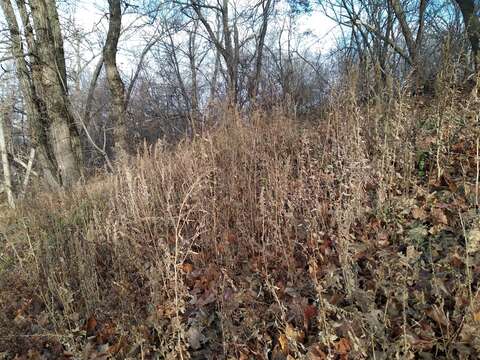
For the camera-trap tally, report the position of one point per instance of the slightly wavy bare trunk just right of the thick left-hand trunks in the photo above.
(115, 83)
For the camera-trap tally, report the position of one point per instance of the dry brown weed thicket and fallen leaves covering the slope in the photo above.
(351, 236)
